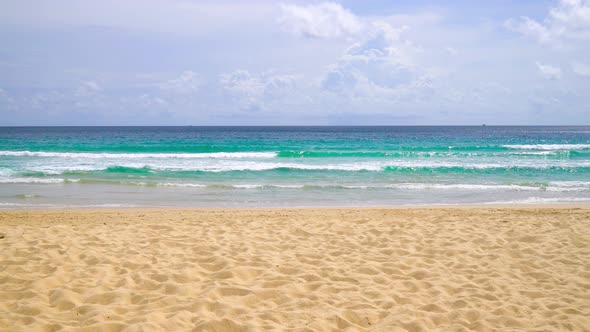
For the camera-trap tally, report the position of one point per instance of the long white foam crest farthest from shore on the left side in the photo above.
(88, 155)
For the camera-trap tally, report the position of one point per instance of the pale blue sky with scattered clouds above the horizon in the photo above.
(394, 62)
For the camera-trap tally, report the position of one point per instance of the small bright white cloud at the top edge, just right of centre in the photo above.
(323, 20)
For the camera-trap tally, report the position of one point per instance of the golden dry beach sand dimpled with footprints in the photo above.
(382, 269)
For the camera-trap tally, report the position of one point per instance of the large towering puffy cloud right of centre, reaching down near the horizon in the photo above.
(382, 75)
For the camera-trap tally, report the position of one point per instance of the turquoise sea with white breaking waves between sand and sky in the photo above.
(292, 166)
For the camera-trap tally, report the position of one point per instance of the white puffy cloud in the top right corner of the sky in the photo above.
(569, 20)
